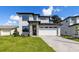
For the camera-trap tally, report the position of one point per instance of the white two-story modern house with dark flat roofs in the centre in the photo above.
(36, 25)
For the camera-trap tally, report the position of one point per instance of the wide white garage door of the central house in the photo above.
(48, 31)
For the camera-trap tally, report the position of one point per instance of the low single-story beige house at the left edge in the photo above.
(6, 30)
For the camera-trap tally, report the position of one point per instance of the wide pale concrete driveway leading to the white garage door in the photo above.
(61, 44)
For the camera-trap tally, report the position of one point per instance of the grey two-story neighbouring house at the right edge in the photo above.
(70, 26)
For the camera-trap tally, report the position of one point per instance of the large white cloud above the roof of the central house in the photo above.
(49, 11)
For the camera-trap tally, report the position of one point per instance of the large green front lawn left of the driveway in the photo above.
(23, 44)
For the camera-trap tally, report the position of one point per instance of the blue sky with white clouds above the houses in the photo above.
(8, 13)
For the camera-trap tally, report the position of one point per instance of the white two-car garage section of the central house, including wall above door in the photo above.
(49, 30)
